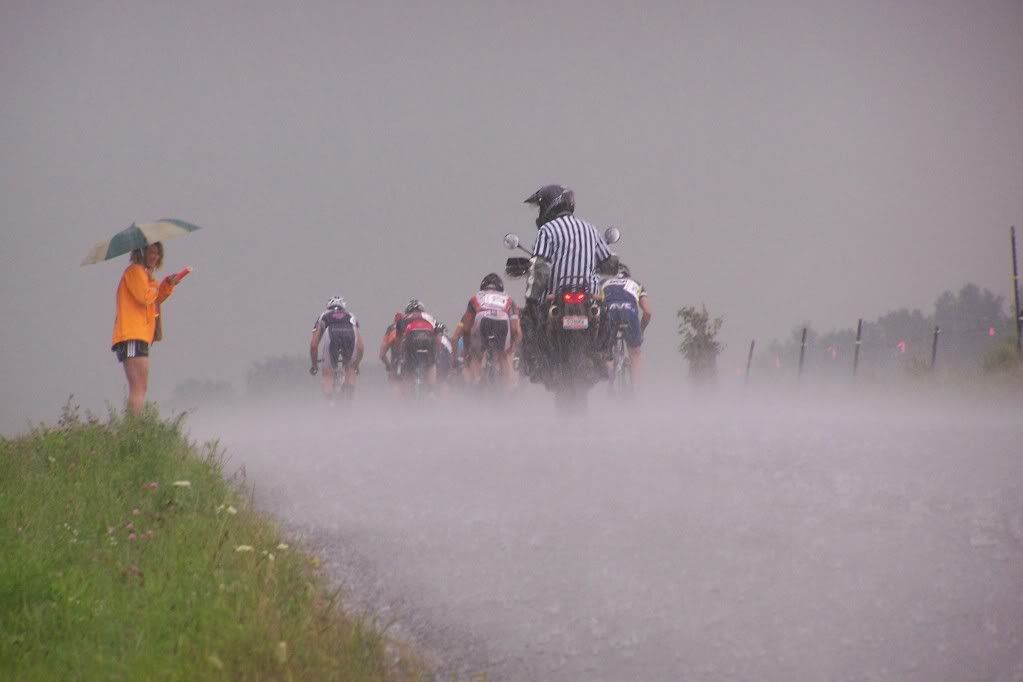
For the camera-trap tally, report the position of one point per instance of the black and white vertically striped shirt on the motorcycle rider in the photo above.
(573, 248)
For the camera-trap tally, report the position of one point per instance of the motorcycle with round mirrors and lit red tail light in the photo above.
(565, 328)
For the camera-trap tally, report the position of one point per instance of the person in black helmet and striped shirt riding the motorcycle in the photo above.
(575, 251)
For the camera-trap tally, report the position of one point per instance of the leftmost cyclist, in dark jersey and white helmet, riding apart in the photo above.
(344, 347)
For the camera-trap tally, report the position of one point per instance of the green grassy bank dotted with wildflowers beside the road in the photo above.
(105, 576)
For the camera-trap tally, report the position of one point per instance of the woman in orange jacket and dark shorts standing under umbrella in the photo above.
(139, 302)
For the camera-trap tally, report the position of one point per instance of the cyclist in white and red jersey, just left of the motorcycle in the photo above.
(491, 314)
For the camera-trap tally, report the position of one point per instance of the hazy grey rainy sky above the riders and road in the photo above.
(780, 162)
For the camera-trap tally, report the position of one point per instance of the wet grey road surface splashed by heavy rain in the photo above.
(762, 540)
